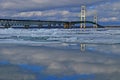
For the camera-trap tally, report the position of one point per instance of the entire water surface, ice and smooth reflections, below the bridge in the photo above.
(60, 54)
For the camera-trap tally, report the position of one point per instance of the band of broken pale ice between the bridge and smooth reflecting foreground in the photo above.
(103, 36)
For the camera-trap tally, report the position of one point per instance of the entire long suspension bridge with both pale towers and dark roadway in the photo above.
(8, 23)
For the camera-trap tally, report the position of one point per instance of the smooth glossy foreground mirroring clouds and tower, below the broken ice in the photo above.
(61, 61)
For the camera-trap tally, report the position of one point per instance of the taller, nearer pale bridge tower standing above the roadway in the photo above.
(83, 17)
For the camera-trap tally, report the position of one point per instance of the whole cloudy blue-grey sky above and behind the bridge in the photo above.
(61, 10)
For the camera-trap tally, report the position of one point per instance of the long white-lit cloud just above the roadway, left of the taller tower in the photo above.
(48, 15)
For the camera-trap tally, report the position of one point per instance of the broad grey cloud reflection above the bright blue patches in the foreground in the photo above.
(62, 61)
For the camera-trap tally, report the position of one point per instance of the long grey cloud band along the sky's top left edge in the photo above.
(42, 4)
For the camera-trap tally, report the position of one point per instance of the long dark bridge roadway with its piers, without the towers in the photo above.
(7, 23)
